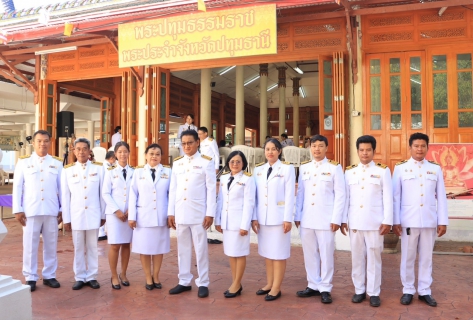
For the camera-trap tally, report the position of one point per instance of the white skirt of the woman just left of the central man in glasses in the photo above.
(151, 240)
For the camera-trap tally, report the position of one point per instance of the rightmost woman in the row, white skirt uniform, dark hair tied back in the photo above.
(273, 215)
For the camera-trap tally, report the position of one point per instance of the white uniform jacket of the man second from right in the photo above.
(369, 196)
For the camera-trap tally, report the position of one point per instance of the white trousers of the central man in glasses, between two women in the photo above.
(188, 234)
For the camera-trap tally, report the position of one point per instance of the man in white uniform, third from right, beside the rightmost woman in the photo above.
(320, 204)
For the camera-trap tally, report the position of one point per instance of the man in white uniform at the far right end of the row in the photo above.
(420, 214)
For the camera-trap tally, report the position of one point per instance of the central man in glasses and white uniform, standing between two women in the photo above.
(191, 211)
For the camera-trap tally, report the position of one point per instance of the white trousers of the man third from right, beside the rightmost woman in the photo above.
(318, 247)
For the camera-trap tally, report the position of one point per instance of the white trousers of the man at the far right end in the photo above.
(421, 241)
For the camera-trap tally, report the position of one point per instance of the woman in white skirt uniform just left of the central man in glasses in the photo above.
(148, 213)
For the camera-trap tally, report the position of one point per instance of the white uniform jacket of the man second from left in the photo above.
(82, 202)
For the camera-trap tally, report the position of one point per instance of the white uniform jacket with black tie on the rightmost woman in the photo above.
(280, 187)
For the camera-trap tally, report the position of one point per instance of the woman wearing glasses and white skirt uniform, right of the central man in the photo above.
(235, 205)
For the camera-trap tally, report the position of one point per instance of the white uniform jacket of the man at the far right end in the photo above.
(414, 184)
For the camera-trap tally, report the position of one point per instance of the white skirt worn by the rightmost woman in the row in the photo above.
(273, 243)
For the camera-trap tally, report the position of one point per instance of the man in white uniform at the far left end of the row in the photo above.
(37, 206)
